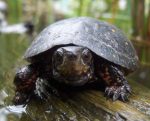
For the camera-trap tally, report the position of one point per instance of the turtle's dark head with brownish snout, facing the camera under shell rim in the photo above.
(73, 65)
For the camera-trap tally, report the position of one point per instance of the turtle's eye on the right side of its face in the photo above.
(86, 56)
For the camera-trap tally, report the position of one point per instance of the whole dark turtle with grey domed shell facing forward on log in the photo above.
(77, 51)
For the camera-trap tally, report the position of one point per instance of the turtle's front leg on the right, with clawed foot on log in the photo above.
(117, 85)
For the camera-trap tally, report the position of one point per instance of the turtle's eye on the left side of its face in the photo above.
(58, 57)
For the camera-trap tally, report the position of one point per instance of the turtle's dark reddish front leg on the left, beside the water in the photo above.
(24, 81)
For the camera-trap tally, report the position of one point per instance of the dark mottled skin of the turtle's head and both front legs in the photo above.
(72, 65)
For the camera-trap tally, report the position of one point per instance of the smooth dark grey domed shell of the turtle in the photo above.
(102, 38)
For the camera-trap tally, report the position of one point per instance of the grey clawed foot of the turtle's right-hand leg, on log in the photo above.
(118, 92)
